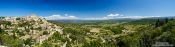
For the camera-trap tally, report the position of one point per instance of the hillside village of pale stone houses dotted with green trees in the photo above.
(29, 27)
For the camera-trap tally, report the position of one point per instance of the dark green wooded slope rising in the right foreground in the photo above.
(160, 31)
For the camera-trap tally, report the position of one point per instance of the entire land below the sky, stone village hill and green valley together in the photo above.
(33, 31)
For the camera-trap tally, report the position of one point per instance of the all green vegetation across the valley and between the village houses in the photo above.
(137, 33)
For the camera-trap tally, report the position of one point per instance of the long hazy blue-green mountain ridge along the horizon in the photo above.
(110, 20)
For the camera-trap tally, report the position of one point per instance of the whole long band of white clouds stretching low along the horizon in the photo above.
(110, 16)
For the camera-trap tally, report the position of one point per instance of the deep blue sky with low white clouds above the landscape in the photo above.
(88, 9)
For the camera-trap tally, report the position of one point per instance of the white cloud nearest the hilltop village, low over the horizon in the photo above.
(59, 17)
